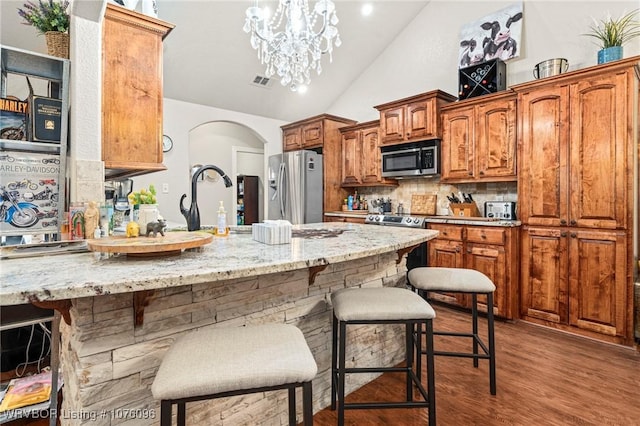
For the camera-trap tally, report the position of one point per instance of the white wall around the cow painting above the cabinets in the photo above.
(425, 56)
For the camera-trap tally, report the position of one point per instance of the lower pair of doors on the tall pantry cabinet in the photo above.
(583, 283)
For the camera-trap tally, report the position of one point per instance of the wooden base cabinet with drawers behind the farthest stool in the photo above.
(493, 251)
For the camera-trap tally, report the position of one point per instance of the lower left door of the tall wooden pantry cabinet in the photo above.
(544, 271)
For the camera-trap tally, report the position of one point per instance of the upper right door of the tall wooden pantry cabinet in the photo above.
(599, 151)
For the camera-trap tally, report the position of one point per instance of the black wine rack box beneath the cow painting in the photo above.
(482, 79)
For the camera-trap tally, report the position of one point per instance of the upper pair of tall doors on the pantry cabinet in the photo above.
(576, 149)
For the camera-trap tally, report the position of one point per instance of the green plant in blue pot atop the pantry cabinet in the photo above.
(613, 33)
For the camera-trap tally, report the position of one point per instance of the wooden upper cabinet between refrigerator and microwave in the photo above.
(361, 156)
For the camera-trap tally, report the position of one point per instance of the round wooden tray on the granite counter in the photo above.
(171, 243)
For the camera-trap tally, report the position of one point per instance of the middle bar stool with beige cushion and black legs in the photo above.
(383, 305)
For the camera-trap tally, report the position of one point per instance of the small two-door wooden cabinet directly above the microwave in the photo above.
(412, 119)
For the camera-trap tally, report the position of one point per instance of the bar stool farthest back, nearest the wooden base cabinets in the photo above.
(461, 280)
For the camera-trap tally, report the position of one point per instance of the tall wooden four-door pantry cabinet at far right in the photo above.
(578, 142)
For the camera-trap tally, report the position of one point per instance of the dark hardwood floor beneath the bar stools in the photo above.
(544, 377)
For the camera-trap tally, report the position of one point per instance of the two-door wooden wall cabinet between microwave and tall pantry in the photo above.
(479, 139)
